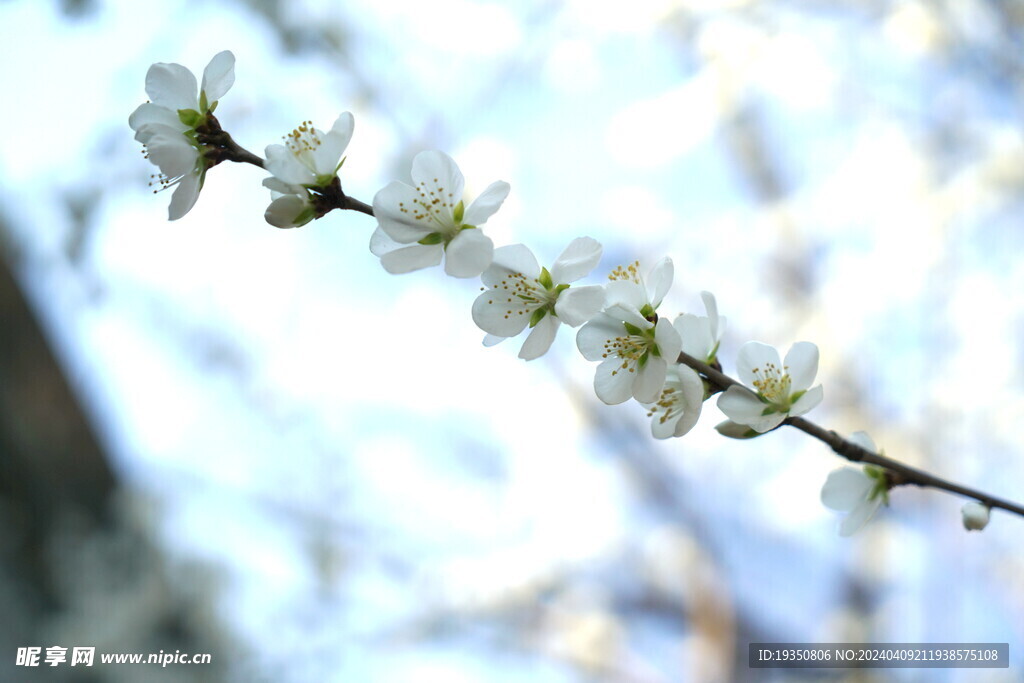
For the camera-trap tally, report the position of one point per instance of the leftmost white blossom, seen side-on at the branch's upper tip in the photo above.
(166, 125)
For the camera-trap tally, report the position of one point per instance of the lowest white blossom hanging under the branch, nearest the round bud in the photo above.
(857, 492)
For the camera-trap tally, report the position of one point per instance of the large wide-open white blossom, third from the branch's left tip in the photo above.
(421, 225)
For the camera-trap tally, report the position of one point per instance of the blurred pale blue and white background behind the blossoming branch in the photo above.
(223, 438)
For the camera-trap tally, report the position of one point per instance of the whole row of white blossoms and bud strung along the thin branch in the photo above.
(641, 354)
